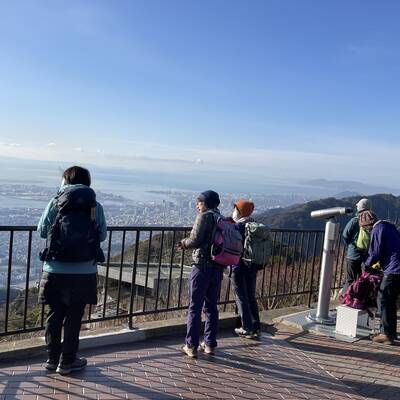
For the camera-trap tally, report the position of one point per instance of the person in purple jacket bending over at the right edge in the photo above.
(385, 248)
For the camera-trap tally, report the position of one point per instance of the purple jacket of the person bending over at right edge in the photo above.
(385, 248)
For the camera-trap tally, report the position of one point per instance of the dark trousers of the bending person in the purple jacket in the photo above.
(388, 293)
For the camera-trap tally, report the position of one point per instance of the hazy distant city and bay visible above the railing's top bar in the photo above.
(24, 204)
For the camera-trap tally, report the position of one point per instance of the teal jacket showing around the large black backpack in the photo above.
(58, 267)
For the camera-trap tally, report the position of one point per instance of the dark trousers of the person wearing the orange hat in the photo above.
(244, 285)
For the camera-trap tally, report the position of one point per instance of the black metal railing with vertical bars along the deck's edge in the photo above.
(144, 273)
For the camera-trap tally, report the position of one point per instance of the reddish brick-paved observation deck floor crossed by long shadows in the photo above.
(284, 364)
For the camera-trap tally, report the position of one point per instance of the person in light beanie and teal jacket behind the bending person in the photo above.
(354, 256)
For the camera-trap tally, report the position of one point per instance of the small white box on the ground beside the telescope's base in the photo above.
(347, 320)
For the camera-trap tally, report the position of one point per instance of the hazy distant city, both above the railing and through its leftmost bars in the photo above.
(23, 204)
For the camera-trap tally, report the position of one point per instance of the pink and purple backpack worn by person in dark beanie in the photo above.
(227, 243)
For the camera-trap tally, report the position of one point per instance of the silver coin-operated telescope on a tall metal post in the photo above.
(321, 316)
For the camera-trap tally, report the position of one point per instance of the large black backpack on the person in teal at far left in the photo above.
(74, 235)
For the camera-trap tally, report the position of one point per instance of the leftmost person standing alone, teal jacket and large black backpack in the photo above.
(73, 224)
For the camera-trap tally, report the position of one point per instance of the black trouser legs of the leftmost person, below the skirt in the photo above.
(70, 316)
